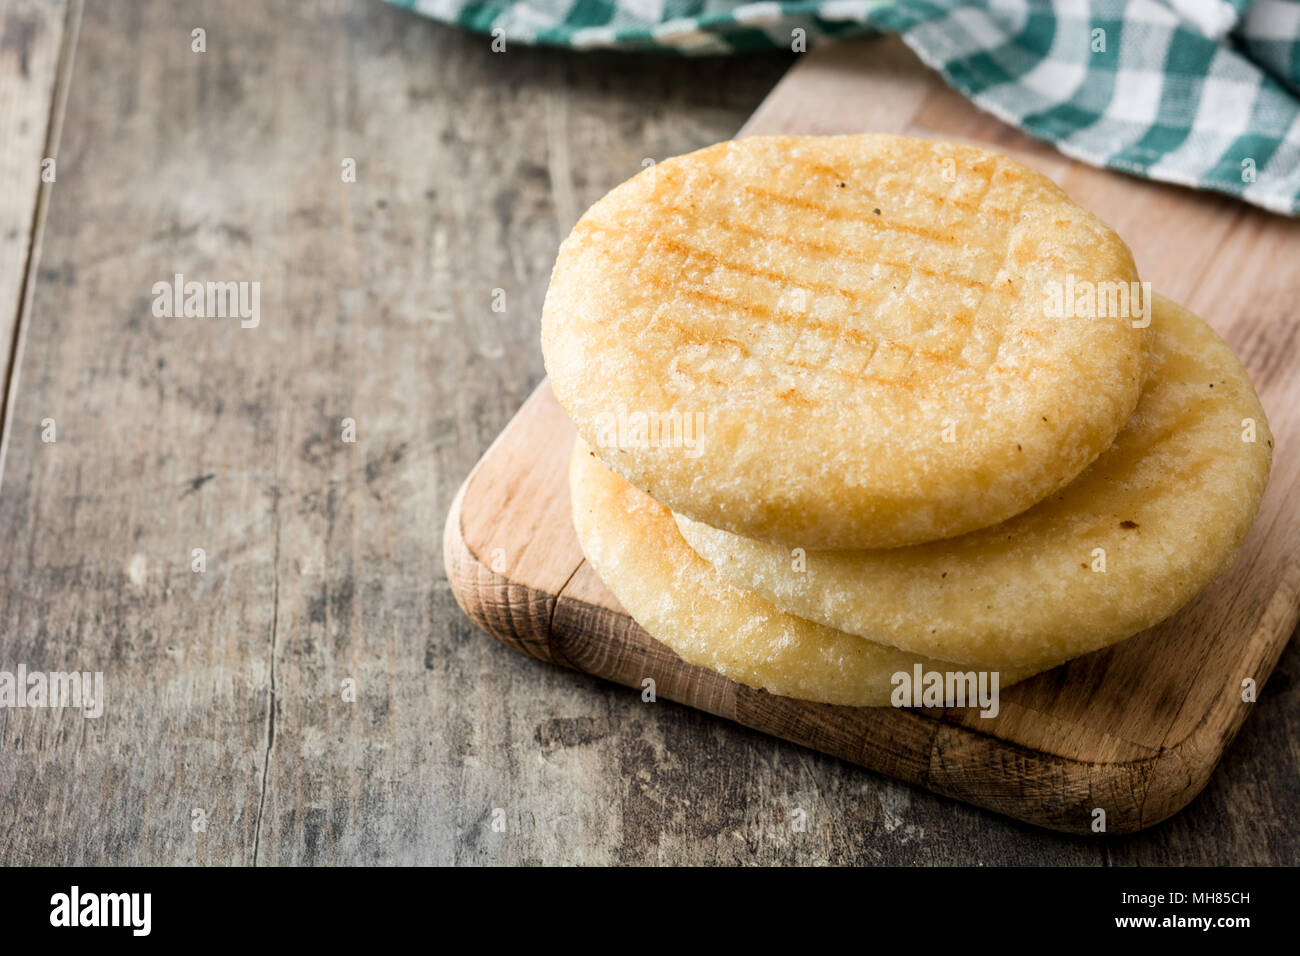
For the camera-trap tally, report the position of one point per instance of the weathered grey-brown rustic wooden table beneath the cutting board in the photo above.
(231, 733)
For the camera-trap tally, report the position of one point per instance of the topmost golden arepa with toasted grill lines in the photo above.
(844, 341)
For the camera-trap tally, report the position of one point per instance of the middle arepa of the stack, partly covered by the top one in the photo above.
(1130, 542)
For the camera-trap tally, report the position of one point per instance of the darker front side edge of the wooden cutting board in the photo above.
(1138, 793)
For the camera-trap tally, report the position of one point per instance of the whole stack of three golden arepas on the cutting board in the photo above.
(850, 405)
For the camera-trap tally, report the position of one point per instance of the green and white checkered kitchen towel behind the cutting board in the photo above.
(1201, 93)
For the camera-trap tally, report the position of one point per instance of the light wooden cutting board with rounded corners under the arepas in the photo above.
(1134, 730)
